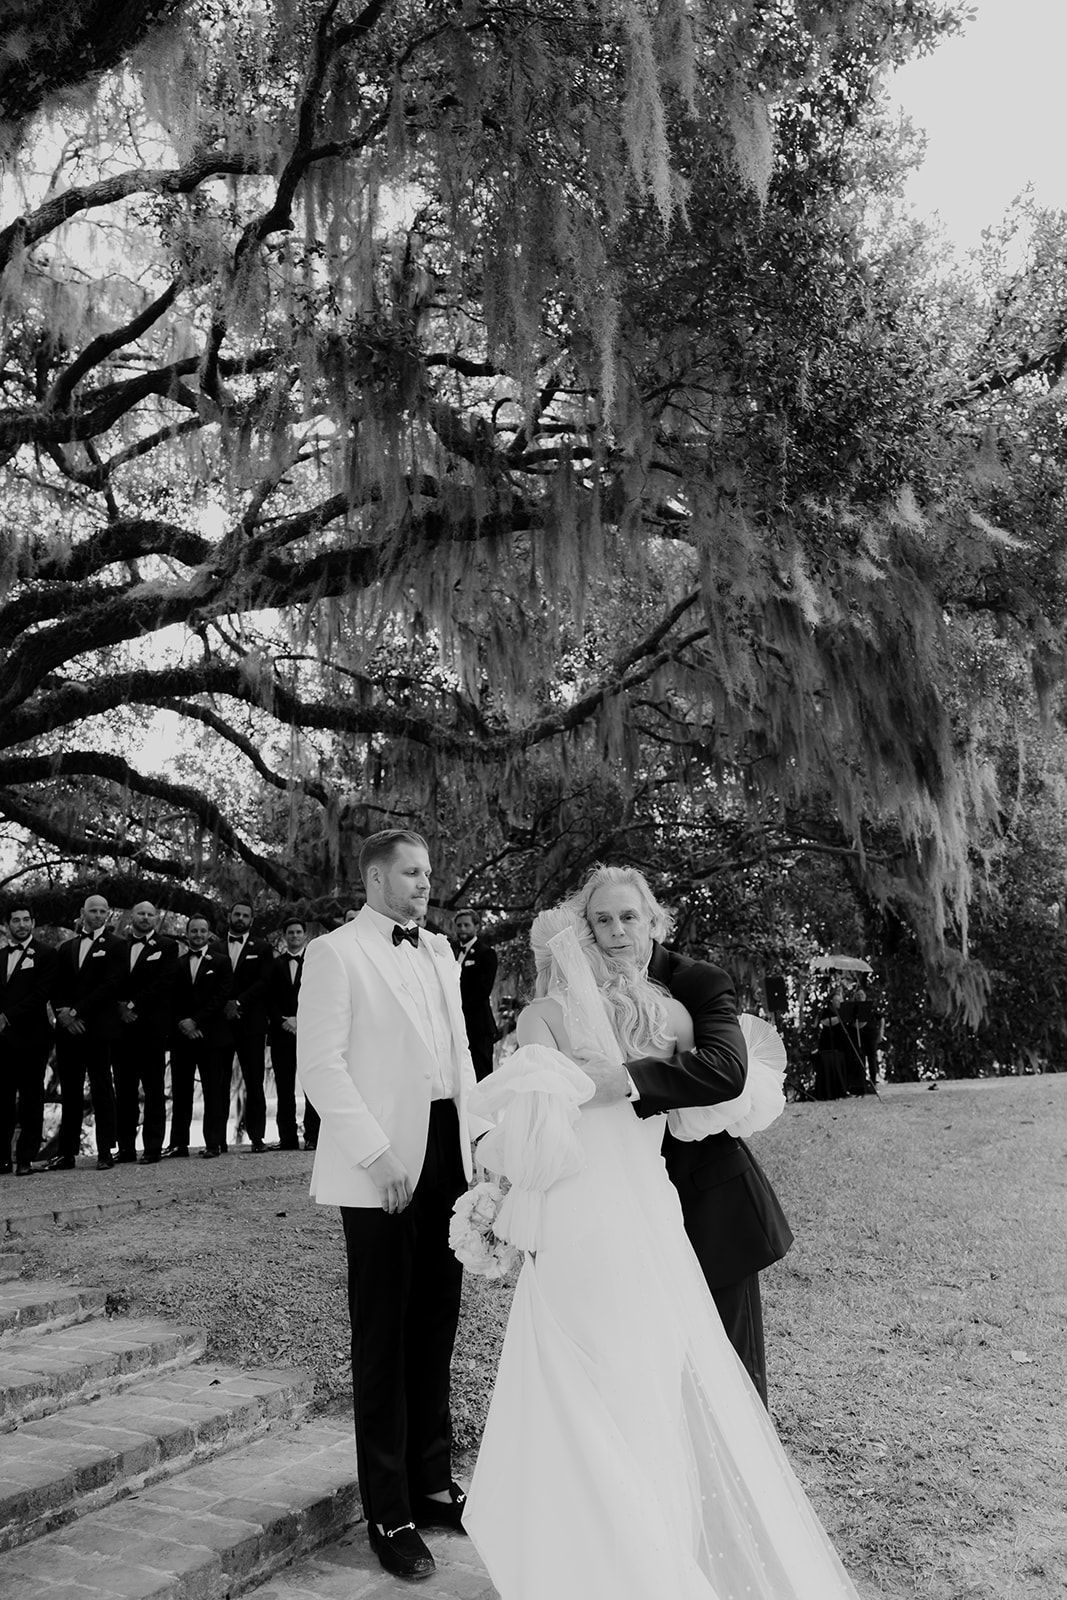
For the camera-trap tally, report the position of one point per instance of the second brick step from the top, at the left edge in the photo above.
(46, 1372)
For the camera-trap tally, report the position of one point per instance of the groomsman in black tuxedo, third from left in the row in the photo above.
(145, 1023)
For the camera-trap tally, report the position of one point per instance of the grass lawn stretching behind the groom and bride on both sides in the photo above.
(916, 1332)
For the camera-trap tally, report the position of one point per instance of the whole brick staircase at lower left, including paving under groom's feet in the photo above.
(135, 1470)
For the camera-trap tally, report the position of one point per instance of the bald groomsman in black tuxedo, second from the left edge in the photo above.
(86, 986)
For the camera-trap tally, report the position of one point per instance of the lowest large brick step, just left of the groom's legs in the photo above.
(217, 1530)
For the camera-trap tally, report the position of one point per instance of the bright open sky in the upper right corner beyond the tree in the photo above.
(993, 105)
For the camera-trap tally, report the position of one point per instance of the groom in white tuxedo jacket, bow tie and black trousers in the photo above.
(383, 1057)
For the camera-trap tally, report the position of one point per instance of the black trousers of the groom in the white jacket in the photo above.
(404, 1303)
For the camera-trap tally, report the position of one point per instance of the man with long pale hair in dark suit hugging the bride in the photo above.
(732, 1215)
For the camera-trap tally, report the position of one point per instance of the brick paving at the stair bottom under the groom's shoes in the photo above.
(348, 1567)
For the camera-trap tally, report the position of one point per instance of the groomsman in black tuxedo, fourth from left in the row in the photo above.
(201, 1042)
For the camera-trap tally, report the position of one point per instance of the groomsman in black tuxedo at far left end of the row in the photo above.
(26, 970)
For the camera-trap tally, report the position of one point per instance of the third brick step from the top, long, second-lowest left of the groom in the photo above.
(66, 1466)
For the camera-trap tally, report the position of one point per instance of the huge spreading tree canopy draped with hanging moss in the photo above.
(502, 418)
